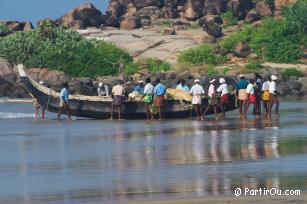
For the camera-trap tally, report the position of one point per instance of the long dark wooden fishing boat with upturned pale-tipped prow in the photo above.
(99, 107)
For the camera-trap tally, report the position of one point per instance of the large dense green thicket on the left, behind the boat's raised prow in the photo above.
(65, 50)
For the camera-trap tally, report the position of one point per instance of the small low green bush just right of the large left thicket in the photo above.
(154, 65)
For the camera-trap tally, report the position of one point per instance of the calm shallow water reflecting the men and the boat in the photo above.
(86, 161)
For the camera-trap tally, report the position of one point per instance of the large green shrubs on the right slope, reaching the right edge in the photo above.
(275, 40)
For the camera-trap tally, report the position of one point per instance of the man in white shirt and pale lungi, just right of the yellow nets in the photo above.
(197, 91)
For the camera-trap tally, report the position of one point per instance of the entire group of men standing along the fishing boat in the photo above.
(253, 91)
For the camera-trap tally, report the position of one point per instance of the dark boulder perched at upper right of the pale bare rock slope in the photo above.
(212, 25)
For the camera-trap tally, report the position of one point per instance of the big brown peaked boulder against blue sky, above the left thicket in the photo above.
(85, 15)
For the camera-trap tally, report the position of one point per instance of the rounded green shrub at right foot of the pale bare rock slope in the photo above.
(203, 54)
